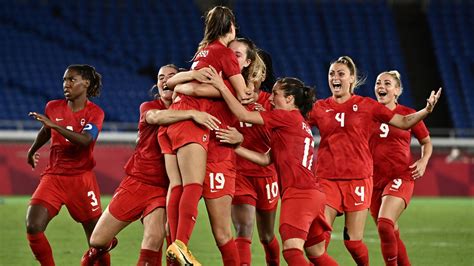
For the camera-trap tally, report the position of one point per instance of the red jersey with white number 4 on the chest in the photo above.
(345, 130)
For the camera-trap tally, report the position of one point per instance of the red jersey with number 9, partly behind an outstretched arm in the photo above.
(390, 148)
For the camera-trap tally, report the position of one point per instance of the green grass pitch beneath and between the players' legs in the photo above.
(437, 231)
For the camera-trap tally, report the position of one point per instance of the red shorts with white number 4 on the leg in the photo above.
(347, 195)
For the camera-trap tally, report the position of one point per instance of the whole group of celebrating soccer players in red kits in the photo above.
(211, 132)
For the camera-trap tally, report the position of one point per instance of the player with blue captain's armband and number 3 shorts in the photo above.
(73, 125)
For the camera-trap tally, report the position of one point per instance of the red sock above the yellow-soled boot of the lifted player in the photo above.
(188, 211)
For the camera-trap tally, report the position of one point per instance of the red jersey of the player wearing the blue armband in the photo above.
(67, 158)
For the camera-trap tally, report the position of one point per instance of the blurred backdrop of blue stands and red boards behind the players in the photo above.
(429, 42)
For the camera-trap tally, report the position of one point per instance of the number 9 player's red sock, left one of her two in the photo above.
(388, 241)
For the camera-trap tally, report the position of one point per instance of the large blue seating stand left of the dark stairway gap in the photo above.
(128, 39)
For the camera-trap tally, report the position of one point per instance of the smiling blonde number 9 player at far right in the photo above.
(394, 174)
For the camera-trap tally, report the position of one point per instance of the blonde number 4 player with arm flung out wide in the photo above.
(344, 165)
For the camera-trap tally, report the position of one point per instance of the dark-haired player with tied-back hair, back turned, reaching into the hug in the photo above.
(302, 222)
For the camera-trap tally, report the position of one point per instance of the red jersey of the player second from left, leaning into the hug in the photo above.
(147, 163)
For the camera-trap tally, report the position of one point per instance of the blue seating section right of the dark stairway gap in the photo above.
(450, 23)
